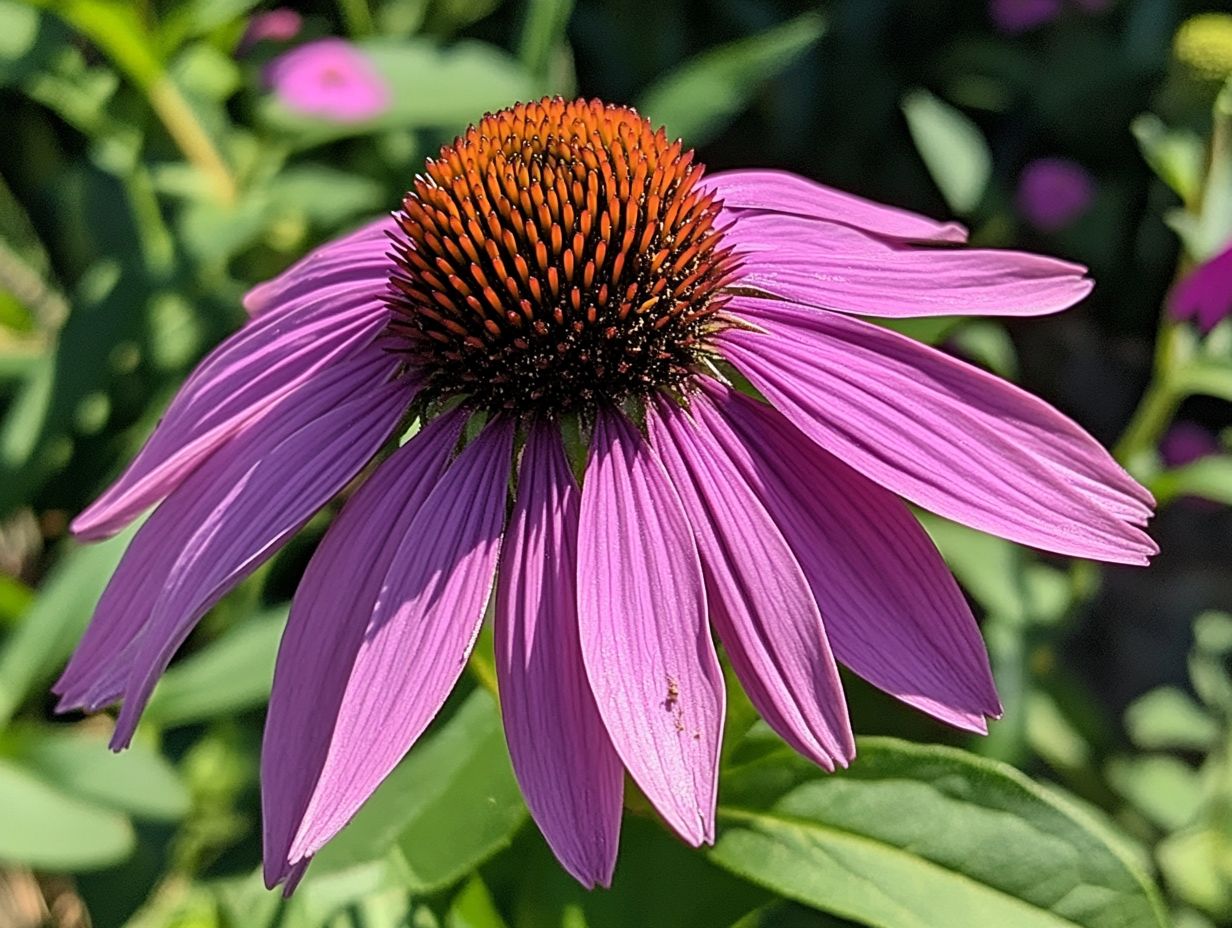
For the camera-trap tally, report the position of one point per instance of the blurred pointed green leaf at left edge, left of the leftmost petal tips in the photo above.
(49, 632)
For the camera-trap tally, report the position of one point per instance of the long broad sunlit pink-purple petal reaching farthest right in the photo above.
(942, 433)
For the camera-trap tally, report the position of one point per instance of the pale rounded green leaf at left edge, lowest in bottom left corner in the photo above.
(47, 829)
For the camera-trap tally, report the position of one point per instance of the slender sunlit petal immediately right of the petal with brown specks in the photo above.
(760, 601)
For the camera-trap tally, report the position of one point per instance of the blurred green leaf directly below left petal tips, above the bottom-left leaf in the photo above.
(137, 781)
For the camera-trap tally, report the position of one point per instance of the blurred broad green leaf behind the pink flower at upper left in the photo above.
(429, 87)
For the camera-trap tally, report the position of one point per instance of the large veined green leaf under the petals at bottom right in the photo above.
(928, 837)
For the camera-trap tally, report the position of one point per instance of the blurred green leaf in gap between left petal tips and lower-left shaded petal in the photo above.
(227, 677)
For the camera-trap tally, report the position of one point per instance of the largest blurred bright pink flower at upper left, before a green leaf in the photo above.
(330, 79)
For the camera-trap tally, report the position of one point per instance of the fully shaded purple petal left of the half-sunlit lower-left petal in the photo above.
(331, 614)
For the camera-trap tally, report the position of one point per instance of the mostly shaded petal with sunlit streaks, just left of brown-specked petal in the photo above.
(569, 771)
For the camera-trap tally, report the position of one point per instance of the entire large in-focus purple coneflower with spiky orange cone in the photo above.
(565, 268)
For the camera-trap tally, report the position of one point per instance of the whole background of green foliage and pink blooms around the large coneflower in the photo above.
(167, 155)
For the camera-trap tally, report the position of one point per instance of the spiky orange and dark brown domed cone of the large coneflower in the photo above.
(555, 258)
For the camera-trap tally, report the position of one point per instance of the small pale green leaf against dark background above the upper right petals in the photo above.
(953, 149)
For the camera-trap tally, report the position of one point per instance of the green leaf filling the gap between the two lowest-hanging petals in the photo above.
(449, 807)
